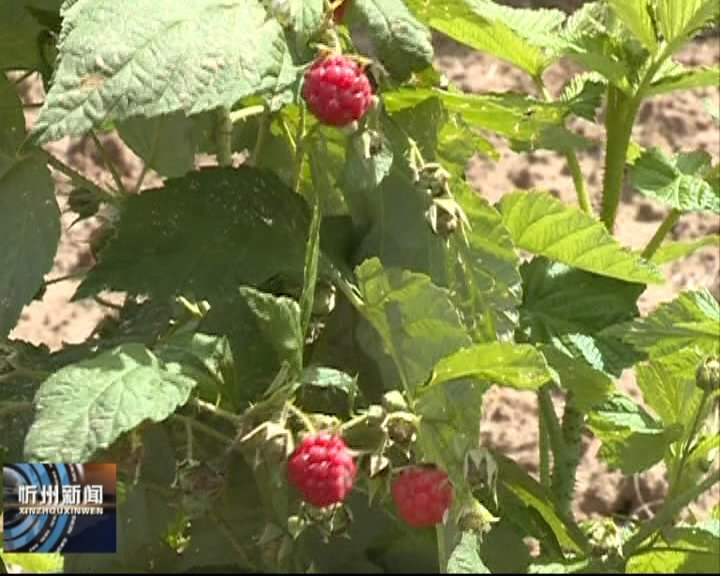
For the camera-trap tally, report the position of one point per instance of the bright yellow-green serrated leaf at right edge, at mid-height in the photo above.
(691, 320)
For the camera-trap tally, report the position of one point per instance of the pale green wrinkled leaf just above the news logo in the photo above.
(86, 406)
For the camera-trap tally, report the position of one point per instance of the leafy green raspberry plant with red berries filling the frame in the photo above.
(309, 326)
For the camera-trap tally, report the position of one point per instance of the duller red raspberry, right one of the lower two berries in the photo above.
(422, 495)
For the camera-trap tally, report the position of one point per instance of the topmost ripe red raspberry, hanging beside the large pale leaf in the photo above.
(337, 90)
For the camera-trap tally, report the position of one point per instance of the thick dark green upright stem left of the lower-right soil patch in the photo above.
(565, 469)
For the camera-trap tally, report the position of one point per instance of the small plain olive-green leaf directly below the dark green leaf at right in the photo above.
(589, 387)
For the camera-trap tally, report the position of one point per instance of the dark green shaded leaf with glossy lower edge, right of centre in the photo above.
(569, 308)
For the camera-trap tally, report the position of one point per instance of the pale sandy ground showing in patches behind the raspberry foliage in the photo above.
(510, 421)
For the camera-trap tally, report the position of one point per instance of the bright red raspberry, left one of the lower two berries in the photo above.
(322, 469)
